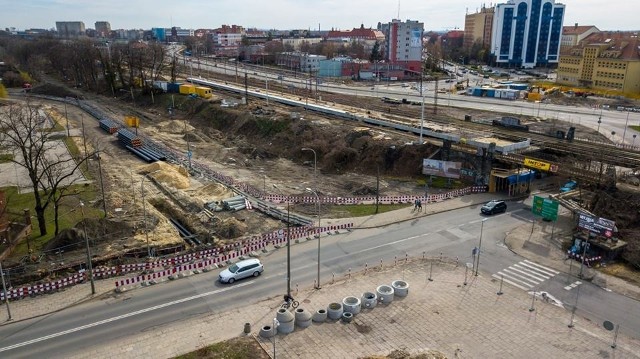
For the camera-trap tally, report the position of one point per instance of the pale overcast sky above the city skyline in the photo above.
(288, 14)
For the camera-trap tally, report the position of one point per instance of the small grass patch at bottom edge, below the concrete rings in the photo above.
(237, 348)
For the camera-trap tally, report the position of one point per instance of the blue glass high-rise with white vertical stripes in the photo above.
(527, 33)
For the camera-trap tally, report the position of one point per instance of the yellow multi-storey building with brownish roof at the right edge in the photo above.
(605, 61)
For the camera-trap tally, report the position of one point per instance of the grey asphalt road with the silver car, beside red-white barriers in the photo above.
(452, 234)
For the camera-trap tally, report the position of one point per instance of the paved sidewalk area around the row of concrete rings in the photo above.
(443, 315)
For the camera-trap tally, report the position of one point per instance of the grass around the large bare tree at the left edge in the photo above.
(69, 215)
